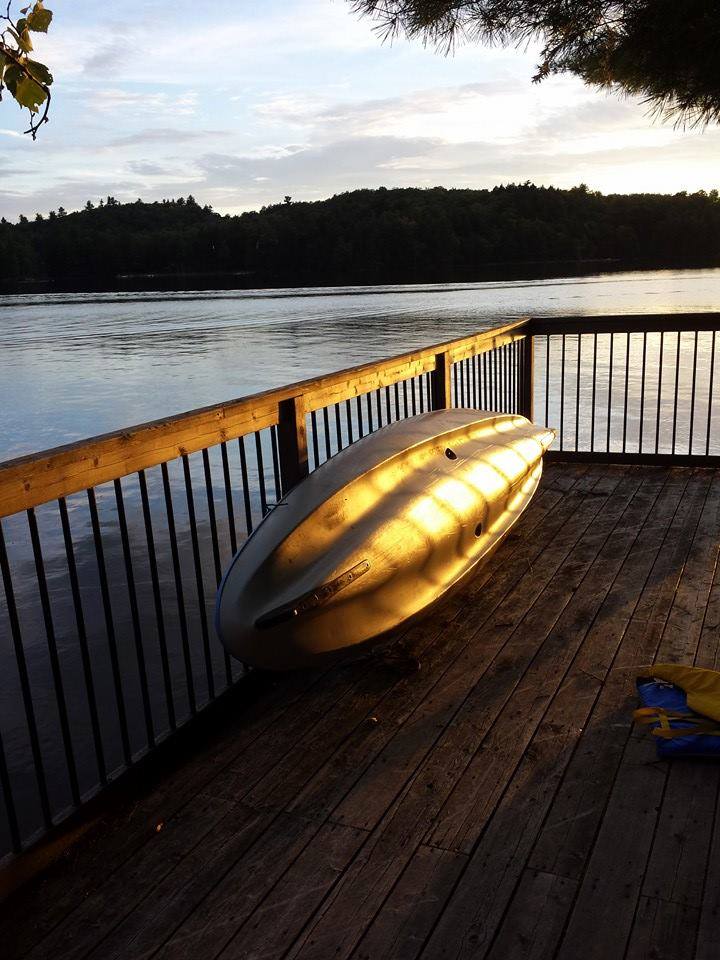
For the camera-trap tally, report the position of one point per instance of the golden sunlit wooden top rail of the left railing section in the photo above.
(38, 478)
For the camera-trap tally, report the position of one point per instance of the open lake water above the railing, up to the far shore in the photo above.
(75, 365)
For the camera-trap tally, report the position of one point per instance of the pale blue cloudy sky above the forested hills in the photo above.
(242, 103)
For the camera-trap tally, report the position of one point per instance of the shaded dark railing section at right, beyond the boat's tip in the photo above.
(624, 388)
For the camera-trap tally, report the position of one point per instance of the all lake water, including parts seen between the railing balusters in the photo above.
(76, 365)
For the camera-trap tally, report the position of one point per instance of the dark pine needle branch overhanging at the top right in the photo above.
(665, 51)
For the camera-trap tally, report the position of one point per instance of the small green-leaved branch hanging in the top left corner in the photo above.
(27, 80)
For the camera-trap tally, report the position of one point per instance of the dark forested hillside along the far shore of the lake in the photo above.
(365, 235)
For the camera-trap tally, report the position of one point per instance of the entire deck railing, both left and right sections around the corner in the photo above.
(111, 549)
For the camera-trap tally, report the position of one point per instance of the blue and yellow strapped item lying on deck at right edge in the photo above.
(682, 704)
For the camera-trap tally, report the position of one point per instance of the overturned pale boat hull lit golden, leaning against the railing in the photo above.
(378, 534)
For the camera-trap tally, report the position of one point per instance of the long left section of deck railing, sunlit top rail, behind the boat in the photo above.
(111, 551)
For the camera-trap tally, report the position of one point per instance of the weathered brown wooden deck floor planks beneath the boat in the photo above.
(494, 803)
